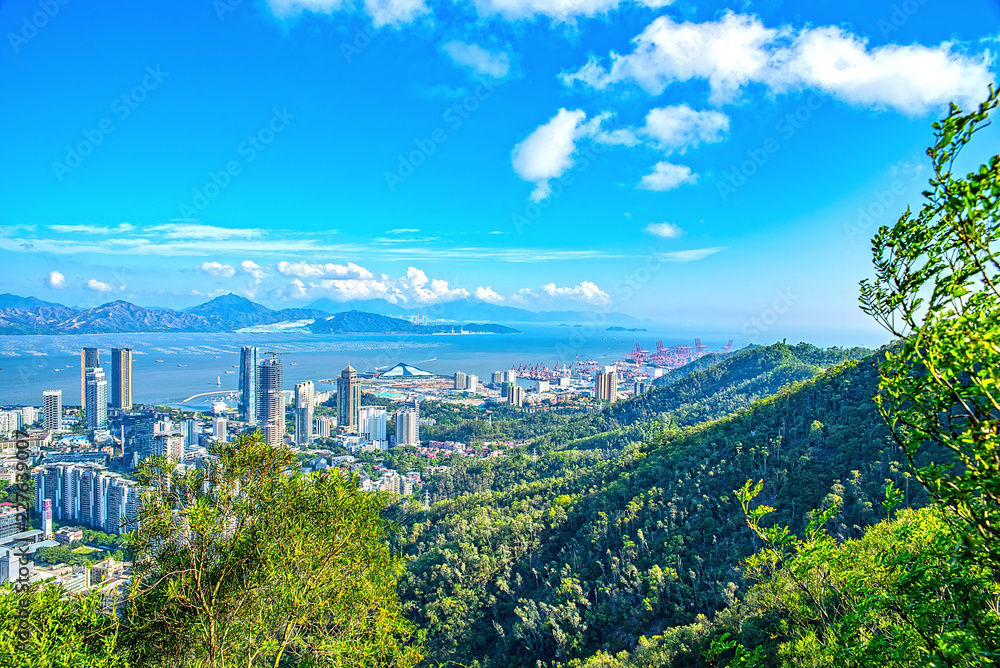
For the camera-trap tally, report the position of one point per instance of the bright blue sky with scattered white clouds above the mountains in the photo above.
(693, 163)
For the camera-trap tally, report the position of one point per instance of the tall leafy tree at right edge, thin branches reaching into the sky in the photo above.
(936, 289)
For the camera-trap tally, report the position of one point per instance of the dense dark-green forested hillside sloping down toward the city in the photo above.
(635, 531)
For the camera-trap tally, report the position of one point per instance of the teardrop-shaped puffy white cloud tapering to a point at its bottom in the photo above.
(548, 151)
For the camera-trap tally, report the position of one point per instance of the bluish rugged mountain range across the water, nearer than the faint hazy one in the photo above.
(28, 315)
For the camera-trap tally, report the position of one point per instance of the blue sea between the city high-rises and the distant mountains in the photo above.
(171, 368)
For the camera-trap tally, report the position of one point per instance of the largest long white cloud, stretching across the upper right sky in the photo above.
(738, 50)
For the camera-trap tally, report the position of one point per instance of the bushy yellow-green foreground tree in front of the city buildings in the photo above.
(247, 562)
